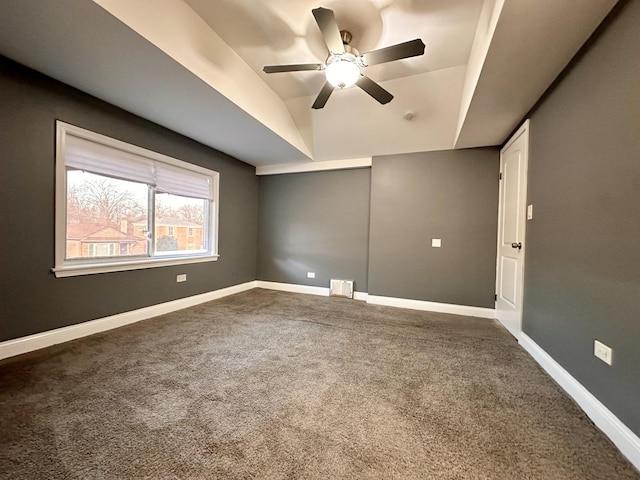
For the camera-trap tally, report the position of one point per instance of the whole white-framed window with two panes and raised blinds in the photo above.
(121, 207)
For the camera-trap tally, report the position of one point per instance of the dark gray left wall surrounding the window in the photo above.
(31, 298)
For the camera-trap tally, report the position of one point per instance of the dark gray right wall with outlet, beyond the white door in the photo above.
(582, 273)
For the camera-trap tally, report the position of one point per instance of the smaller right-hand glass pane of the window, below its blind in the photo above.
(180, 224)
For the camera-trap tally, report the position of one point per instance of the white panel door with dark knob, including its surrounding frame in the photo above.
(512, 212)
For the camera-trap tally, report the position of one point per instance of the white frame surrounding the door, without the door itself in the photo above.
(522, 130)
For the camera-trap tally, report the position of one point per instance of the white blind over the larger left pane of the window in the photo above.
(83, 154)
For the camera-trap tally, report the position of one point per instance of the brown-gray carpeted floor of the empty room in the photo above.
(273, 385)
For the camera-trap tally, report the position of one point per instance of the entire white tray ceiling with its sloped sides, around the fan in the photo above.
(195, 66)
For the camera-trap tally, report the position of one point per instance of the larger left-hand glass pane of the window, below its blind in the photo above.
(106, 217)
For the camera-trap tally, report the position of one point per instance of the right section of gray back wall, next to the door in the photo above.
(451, 195)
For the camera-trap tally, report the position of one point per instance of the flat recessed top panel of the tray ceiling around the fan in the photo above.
(280, 34)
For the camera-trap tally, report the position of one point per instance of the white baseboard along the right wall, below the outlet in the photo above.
(622, 437)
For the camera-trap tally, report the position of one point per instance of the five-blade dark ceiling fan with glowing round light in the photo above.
(343, 64)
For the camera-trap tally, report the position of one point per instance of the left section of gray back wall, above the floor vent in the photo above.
(314, 222)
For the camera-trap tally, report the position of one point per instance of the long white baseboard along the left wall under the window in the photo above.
(37, 341)
